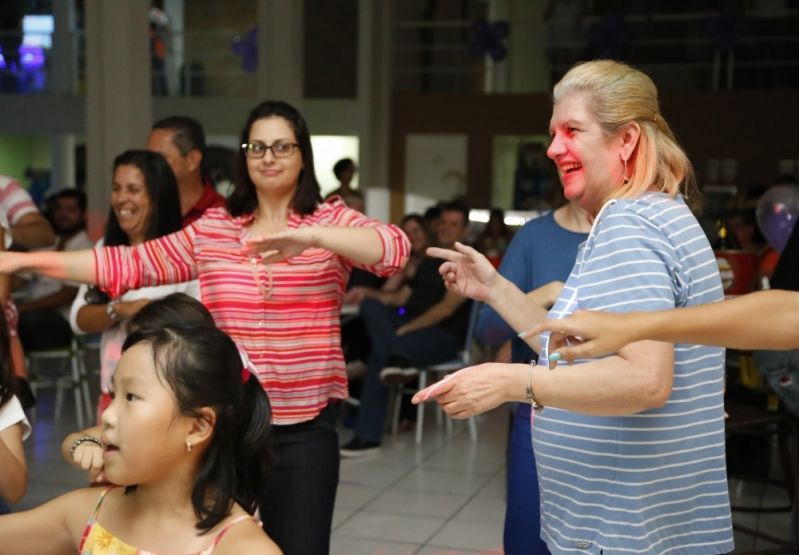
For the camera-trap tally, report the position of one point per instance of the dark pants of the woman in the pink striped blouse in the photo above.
(298, 510)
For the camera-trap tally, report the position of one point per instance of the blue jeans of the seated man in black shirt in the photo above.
(425, 347)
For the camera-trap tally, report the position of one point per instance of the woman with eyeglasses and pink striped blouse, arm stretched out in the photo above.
(272, 271)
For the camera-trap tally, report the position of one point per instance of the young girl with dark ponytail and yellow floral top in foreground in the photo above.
(186, 434)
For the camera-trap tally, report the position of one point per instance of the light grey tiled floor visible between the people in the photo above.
(443, 497)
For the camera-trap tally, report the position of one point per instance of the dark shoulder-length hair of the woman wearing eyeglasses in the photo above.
(243, 199)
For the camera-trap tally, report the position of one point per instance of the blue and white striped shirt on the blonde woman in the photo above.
(655, 481)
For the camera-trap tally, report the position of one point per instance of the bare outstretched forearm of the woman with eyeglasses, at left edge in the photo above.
(78, 266)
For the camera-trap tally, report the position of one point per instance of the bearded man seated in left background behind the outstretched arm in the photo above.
(47, 301)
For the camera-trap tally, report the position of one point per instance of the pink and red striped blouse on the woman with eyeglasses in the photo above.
(288, 321)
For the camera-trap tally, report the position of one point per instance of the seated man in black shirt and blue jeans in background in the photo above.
(419, 324)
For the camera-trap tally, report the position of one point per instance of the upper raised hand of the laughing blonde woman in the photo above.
(466, 271)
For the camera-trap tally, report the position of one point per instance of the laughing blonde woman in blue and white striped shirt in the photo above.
(630, 447)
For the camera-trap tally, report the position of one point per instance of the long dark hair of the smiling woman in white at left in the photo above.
(162, 188)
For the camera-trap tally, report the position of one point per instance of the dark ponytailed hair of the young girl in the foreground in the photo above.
(202, 367)
